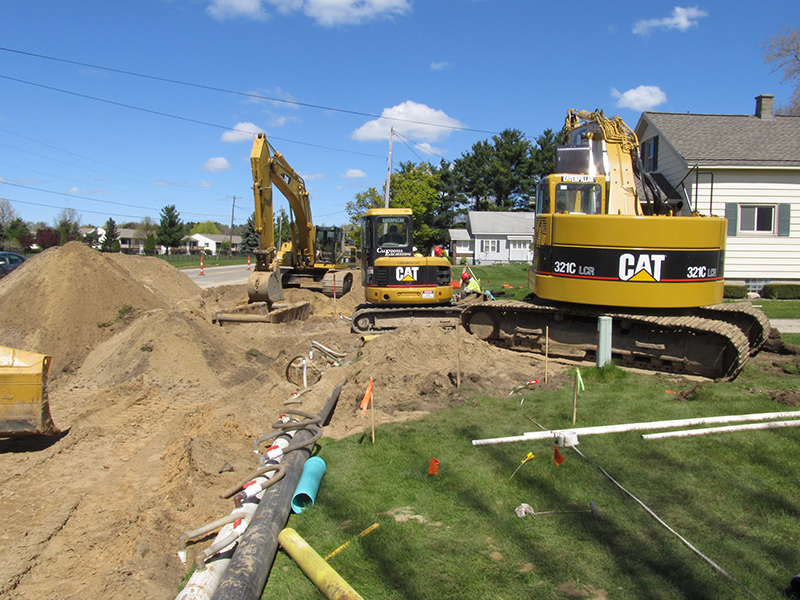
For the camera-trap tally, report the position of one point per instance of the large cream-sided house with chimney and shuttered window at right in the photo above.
(743, 167)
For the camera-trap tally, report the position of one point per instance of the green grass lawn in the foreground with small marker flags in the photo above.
(455, 535)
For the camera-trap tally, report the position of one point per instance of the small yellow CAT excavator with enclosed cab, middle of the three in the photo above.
(400, 286)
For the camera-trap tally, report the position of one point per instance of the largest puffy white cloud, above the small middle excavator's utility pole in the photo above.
(417, 121)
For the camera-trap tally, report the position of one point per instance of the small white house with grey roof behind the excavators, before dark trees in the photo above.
(494, 237)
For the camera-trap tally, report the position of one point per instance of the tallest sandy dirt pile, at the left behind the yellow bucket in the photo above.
(66, 301)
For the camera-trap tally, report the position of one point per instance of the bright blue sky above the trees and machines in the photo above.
(79, 130)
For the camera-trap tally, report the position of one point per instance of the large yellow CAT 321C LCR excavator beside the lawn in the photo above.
(608, 241)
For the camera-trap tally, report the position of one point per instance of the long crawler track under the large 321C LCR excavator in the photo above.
(694, 342)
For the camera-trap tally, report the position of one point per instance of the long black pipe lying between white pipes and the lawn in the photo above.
(247, 573)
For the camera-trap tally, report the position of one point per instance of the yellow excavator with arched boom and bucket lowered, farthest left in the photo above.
(316, 258)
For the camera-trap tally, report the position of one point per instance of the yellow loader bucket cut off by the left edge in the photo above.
(23, 393)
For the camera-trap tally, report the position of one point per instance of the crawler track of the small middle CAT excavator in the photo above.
(373, 318)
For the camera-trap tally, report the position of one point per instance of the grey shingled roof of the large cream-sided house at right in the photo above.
(729, 140)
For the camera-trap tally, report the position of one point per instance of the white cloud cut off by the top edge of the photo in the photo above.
(343, 12)
